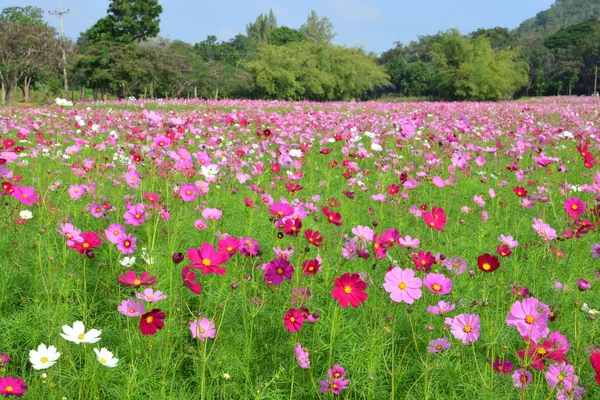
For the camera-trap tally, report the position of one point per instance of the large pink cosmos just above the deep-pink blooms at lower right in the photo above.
(530, 317)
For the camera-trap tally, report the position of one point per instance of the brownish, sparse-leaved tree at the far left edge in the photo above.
(24, 49)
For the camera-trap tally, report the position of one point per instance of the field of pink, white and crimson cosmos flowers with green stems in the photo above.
(269, 250)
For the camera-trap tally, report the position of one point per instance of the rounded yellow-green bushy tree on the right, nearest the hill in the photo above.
(472, 70)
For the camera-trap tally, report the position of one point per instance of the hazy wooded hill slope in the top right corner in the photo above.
(561, 14)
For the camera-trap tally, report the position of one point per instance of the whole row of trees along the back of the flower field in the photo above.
(122, 55)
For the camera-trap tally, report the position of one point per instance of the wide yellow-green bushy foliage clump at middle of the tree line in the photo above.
(316, 72)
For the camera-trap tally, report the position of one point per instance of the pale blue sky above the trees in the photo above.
(372, 24)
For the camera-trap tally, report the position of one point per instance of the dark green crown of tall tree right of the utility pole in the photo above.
(127, 21)
